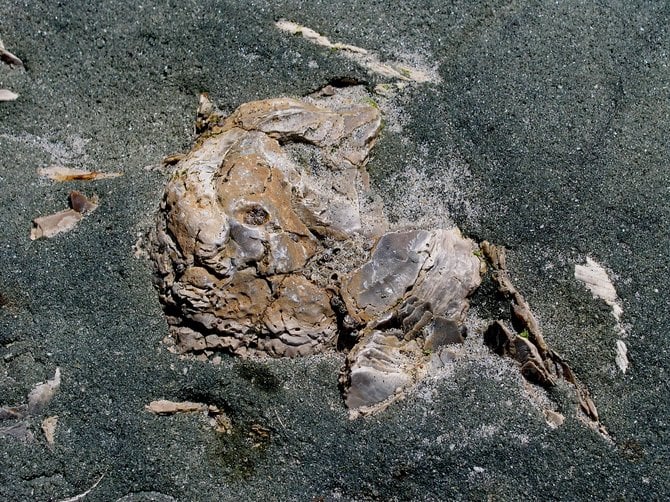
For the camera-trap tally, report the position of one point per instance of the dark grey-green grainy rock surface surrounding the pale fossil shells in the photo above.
(556, 116)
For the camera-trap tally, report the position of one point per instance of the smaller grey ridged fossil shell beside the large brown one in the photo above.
(412, 297)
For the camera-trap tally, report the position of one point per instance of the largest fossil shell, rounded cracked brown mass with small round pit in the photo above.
(251, 216)
